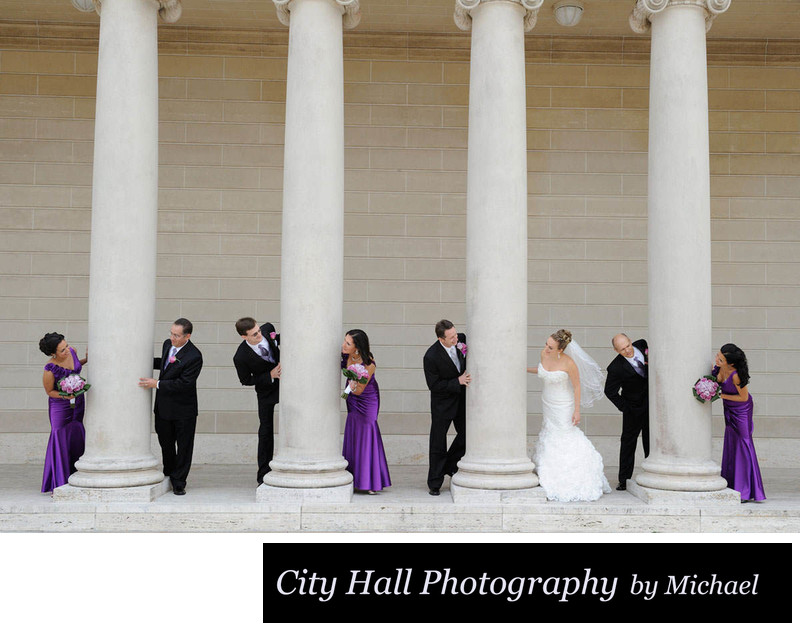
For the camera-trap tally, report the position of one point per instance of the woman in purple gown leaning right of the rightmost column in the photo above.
(739, 461)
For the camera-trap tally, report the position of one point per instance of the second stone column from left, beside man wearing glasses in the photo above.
(309, 464)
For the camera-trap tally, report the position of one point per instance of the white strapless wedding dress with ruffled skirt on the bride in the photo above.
(569, 467)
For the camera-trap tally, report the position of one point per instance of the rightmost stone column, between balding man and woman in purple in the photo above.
(679, 248)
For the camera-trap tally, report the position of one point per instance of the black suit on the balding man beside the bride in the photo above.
(627, 390)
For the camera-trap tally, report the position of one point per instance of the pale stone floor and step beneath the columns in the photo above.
(222, 498)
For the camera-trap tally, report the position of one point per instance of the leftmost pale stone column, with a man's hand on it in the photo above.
(118, 462)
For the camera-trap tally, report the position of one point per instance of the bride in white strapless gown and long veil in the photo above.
(570, 468)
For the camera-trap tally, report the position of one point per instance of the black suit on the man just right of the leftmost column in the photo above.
(176, 409)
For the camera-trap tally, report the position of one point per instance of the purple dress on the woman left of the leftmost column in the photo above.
(67, 436)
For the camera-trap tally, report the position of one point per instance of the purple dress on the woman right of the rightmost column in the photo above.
(739, 461)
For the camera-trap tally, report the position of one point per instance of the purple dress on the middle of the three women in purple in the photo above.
(363, 447)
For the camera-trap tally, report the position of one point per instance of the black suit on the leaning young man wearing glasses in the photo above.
(254, 370)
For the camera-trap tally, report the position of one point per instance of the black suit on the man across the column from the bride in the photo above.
(448, 403)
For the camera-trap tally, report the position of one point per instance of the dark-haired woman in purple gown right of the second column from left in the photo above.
(363, 447)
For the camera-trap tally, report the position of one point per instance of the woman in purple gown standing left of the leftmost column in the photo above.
(67, 436)
